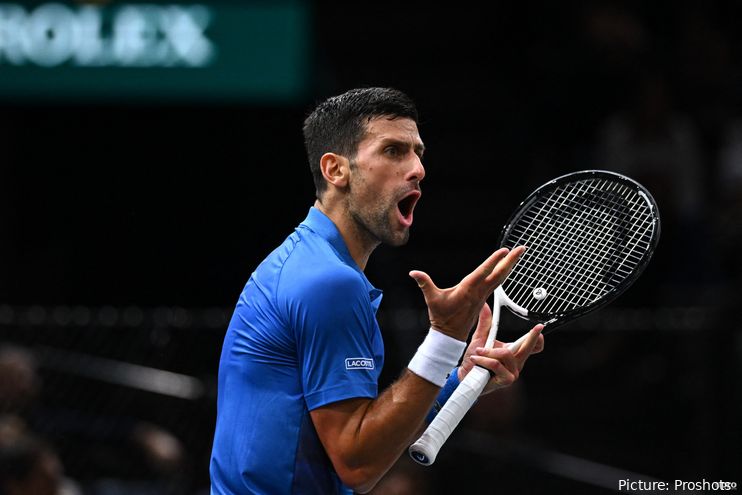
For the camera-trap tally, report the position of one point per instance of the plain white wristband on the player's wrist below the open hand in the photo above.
(436, 356)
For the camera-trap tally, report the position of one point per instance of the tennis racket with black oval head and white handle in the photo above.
(588, 235)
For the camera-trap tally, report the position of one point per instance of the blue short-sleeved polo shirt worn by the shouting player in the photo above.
(304, 334)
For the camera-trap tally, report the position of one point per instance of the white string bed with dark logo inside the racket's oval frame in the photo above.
(583, 240)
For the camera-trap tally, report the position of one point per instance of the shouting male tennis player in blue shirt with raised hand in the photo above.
(298, 410)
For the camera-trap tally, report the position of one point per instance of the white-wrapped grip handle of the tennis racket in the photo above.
(425, 450)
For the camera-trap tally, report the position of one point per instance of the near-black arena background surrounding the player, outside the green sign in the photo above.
(160, 212)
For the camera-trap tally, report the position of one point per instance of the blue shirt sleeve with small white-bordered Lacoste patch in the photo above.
(335, 327)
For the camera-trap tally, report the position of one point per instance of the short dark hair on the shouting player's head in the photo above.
(338, 124)
